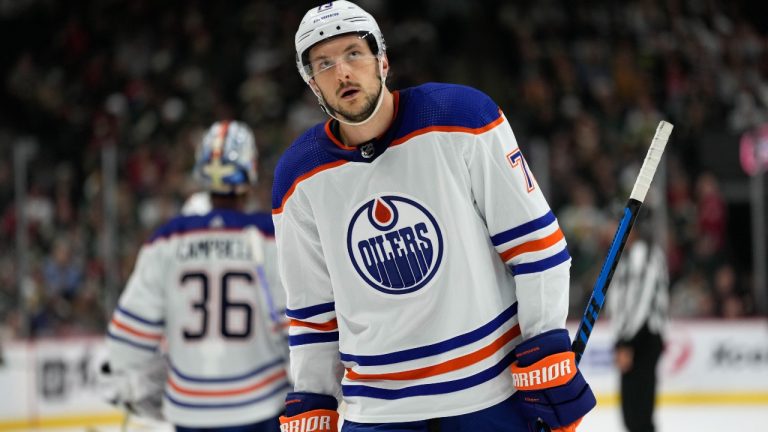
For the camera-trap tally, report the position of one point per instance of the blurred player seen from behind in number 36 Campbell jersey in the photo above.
(205, 287)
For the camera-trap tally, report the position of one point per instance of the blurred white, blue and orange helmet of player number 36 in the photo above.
(227, 157)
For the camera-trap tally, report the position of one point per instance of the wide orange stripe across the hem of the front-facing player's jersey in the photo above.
(445, 367)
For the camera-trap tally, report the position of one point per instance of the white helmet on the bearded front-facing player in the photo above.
(330, 20)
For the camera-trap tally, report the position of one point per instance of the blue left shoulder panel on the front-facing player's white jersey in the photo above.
(305, 154)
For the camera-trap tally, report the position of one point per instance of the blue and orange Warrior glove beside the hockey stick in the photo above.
(549, 385)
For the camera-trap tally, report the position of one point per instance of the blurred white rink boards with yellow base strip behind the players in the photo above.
(53, 383)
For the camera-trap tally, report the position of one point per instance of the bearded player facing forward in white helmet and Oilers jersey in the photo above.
(420, 258)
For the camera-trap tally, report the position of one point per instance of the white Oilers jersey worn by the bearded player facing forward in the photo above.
(411, 275)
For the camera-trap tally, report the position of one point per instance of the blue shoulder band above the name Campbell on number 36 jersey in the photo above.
(225, 219)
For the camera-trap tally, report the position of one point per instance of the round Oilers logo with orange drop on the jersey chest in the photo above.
(395, 244)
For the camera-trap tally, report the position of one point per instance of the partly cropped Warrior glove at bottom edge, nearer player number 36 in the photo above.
(305, 412)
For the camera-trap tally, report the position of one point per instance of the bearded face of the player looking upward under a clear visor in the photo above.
(346, 73)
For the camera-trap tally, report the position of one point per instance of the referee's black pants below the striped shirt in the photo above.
(638, 384)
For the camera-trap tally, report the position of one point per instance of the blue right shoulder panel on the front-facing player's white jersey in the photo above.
(436, 105)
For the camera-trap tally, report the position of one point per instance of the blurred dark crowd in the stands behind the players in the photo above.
(584, 87)
